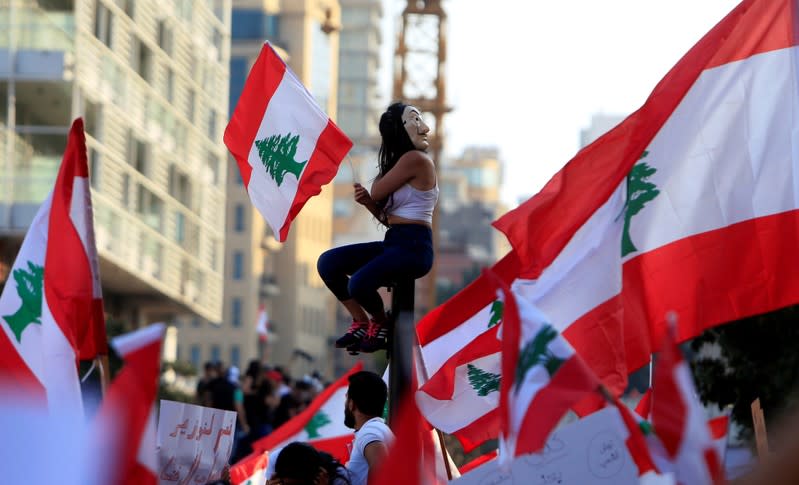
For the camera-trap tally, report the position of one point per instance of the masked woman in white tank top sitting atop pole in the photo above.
(402, 198)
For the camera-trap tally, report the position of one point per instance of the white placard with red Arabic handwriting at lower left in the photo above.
(194, 443)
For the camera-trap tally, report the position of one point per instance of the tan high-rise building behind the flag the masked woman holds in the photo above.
(258, 269)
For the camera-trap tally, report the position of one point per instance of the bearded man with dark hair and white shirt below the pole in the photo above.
(363, 411)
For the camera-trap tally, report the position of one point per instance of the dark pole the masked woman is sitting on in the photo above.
(401, 346)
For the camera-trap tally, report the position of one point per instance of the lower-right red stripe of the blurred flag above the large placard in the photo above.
(569, 385)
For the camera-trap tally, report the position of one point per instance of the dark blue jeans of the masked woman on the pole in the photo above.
(358, 270)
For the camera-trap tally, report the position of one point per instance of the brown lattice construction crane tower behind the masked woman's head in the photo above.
(420, 80)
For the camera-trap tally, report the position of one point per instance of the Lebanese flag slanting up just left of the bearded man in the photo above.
(322, 419)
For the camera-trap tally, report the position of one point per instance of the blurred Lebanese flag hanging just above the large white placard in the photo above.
(543, 378)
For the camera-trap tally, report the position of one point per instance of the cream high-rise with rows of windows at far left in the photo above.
(146, 75)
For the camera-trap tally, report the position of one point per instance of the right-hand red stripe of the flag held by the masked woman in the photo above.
(331, 147)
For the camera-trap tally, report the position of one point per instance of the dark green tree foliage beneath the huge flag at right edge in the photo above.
(758, 360)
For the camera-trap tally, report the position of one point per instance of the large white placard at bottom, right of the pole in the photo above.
(588, 451)
